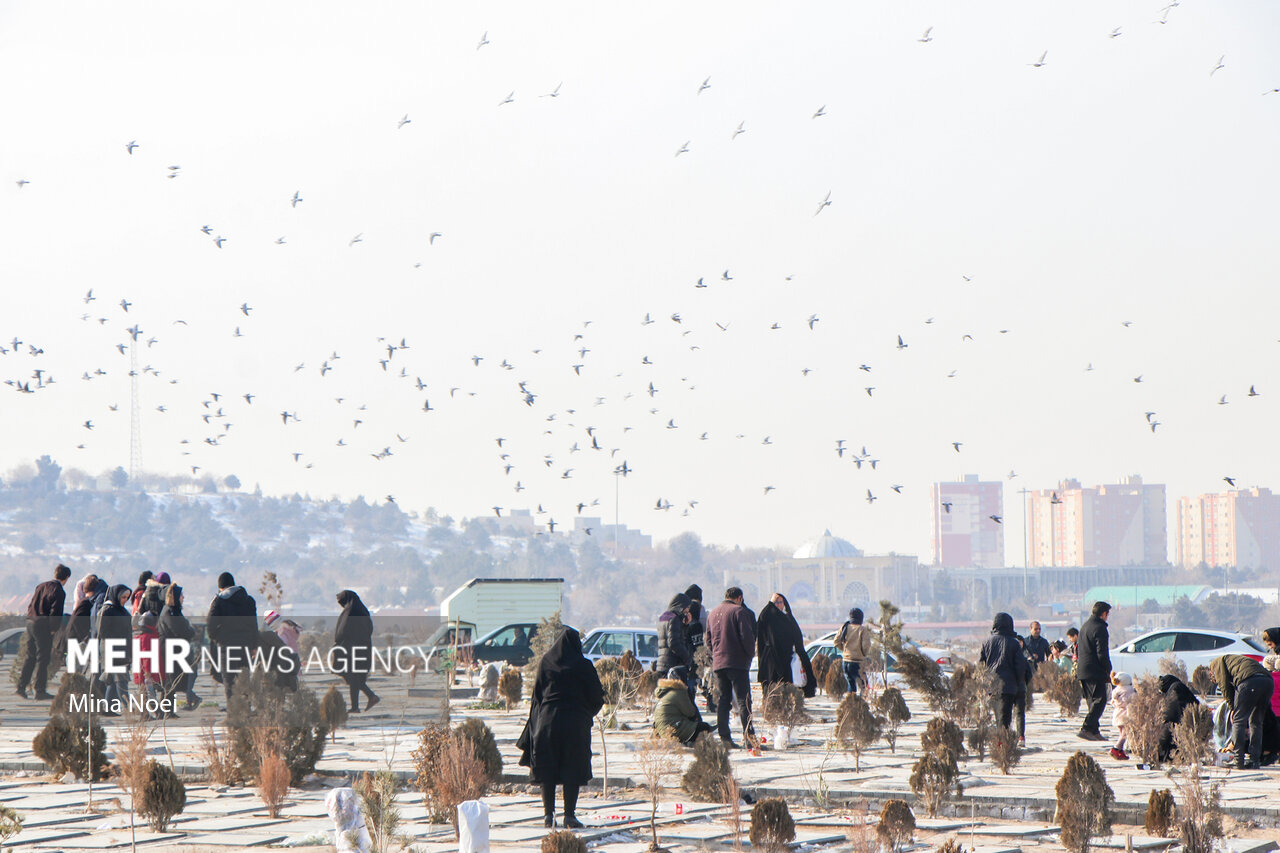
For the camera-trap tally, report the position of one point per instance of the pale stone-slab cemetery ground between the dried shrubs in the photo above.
(829, 800)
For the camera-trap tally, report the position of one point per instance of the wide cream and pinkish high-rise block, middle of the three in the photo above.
(1122, 524)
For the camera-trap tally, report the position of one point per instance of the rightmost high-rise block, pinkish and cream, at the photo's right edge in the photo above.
(1235, 528)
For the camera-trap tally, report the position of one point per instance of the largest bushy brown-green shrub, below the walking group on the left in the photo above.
(259, 704)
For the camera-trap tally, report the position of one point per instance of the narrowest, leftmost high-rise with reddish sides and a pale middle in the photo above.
(964, 533)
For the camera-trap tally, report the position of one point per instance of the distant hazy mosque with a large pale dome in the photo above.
(829, 576)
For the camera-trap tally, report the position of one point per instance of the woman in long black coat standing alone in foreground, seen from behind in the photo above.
(556, 745)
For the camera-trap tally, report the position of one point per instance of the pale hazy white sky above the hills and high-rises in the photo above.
(1016, 222)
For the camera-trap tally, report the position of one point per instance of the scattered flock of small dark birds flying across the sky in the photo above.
(211, 416)
